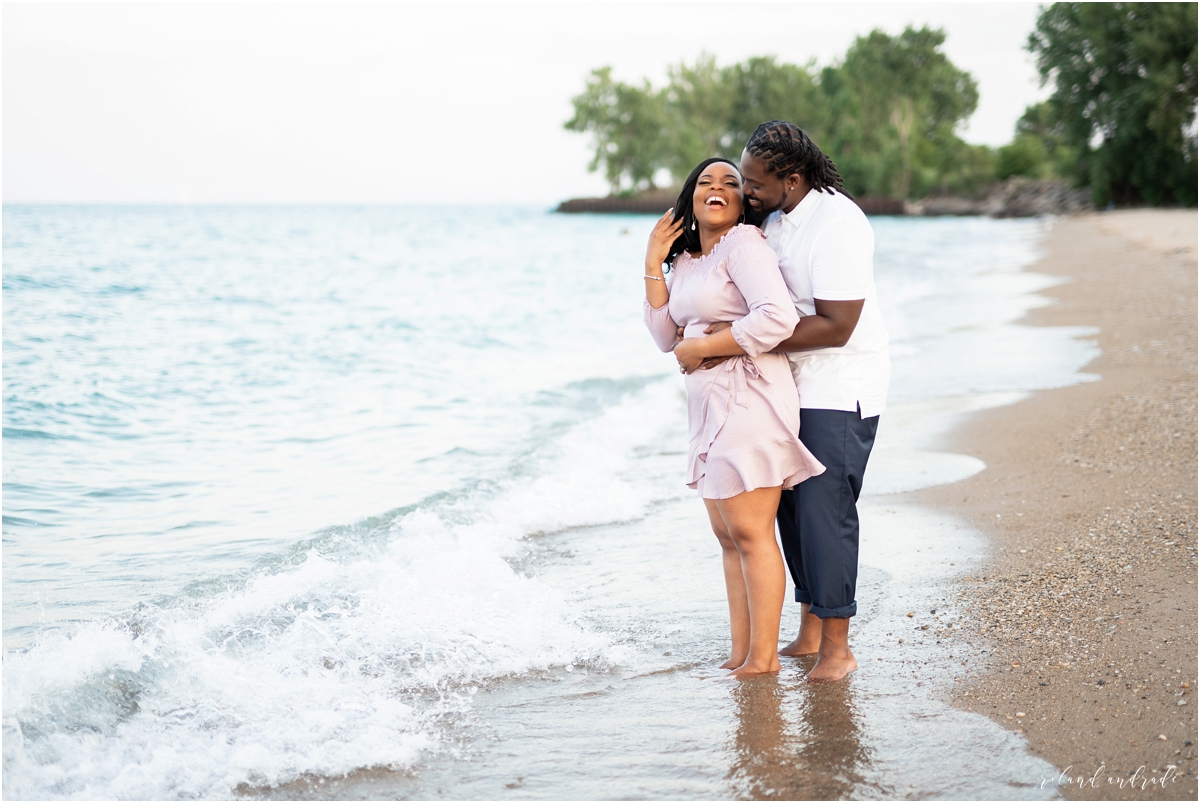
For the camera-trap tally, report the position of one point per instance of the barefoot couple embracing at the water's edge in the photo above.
(778, 333)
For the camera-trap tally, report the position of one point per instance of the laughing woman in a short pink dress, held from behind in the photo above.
(743, 415)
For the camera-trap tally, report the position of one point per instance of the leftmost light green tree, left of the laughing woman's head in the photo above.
(628, 127)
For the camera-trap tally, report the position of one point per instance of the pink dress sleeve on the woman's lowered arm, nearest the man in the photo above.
(754, 269)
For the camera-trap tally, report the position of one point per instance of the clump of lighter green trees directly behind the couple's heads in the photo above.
(889, 116)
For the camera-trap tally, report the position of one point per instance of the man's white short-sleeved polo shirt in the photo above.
(826, 251)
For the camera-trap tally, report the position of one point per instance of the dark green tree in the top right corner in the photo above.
(1125, 98)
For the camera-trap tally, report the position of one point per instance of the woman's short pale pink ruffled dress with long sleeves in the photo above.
(743, 416)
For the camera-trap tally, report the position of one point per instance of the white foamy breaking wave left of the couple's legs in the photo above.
(345, 657)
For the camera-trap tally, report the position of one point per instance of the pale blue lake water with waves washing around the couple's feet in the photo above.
(388, 502)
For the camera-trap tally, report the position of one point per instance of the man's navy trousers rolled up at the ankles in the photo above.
(819, 518)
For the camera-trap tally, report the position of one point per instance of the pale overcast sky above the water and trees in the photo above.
(398, 103)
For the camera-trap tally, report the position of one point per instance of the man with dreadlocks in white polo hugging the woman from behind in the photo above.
(839, 356)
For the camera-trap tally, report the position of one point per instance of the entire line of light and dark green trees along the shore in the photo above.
(1121, 118)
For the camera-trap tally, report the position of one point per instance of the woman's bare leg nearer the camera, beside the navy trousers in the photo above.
(749, 520)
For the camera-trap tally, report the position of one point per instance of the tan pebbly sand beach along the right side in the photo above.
(1089, 600)
